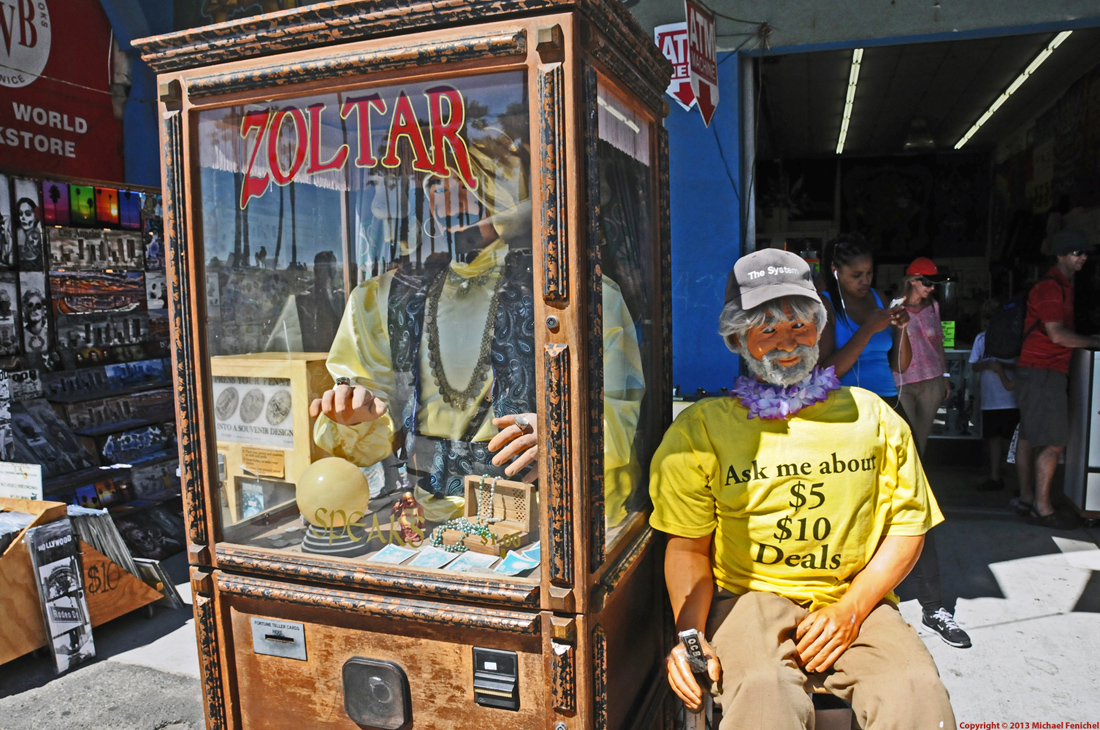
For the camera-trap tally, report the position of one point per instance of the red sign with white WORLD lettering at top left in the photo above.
(56, 108)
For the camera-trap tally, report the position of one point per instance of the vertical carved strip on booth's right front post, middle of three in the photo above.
(559, 464)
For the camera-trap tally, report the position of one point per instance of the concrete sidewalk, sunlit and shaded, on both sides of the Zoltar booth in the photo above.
(1030, 599)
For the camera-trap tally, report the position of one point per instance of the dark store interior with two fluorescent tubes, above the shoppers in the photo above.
(982, 211)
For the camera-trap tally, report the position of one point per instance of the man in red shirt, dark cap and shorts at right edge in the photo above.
(1042, 378)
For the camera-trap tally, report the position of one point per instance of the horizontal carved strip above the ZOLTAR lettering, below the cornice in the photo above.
(339, 67)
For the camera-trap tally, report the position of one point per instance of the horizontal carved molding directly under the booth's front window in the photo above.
(290, 567)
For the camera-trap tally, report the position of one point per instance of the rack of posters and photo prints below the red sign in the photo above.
(85, 371)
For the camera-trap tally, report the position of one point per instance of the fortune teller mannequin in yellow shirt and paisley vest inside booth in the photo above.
(435, 362)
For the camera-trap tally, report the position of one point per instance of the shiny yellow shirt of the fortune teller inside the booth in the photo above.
(361, 352)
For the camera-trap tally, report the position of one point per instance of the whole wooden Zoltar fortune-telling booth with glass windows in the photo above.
(421, 313)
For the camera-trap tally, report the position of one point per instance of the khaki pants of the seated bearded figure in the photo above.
(887, 676)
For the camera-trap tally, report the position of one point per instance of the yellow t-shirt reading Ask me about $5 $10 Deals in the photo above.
(798, 506)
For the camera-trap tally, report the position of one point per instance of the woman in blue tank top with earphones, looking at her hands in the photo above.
(865, 342)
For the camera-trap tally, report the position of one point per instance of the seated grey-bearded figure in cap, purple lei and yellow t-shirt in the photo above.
(794, 510)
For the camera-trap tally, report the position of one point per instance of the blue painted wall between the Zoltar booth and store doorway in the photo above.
(705, 167)
